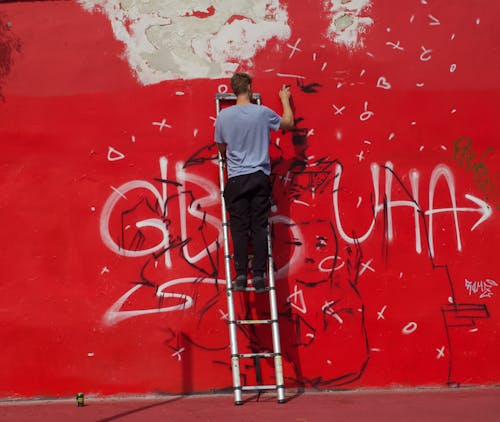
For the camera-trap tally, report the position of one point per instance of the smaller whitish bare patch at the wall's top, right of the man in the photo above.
(347, 21)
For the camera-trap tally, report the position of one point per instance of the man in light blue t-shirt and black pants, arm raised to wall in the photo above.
(242, 134)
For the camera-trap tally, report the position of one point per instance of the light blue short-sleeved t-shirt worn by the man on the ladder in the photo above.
(245, 131)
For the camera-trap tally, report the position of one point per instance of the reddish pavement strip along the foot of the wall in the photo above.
(430, 405)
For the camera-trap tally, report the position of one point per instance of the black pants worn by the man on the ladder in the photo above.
(248, 199)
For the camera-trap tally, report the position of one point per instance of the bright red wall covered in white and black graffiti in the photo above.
(386, 228)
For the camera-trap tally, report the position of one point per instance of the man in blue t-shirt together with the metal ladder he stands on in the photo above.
(242, 134)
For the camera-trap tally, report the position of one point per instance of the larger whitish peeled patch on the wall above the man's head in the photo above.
(177, 39)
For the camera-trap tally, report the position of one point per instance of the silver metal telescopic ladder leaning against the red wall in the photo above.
(271, 290)
